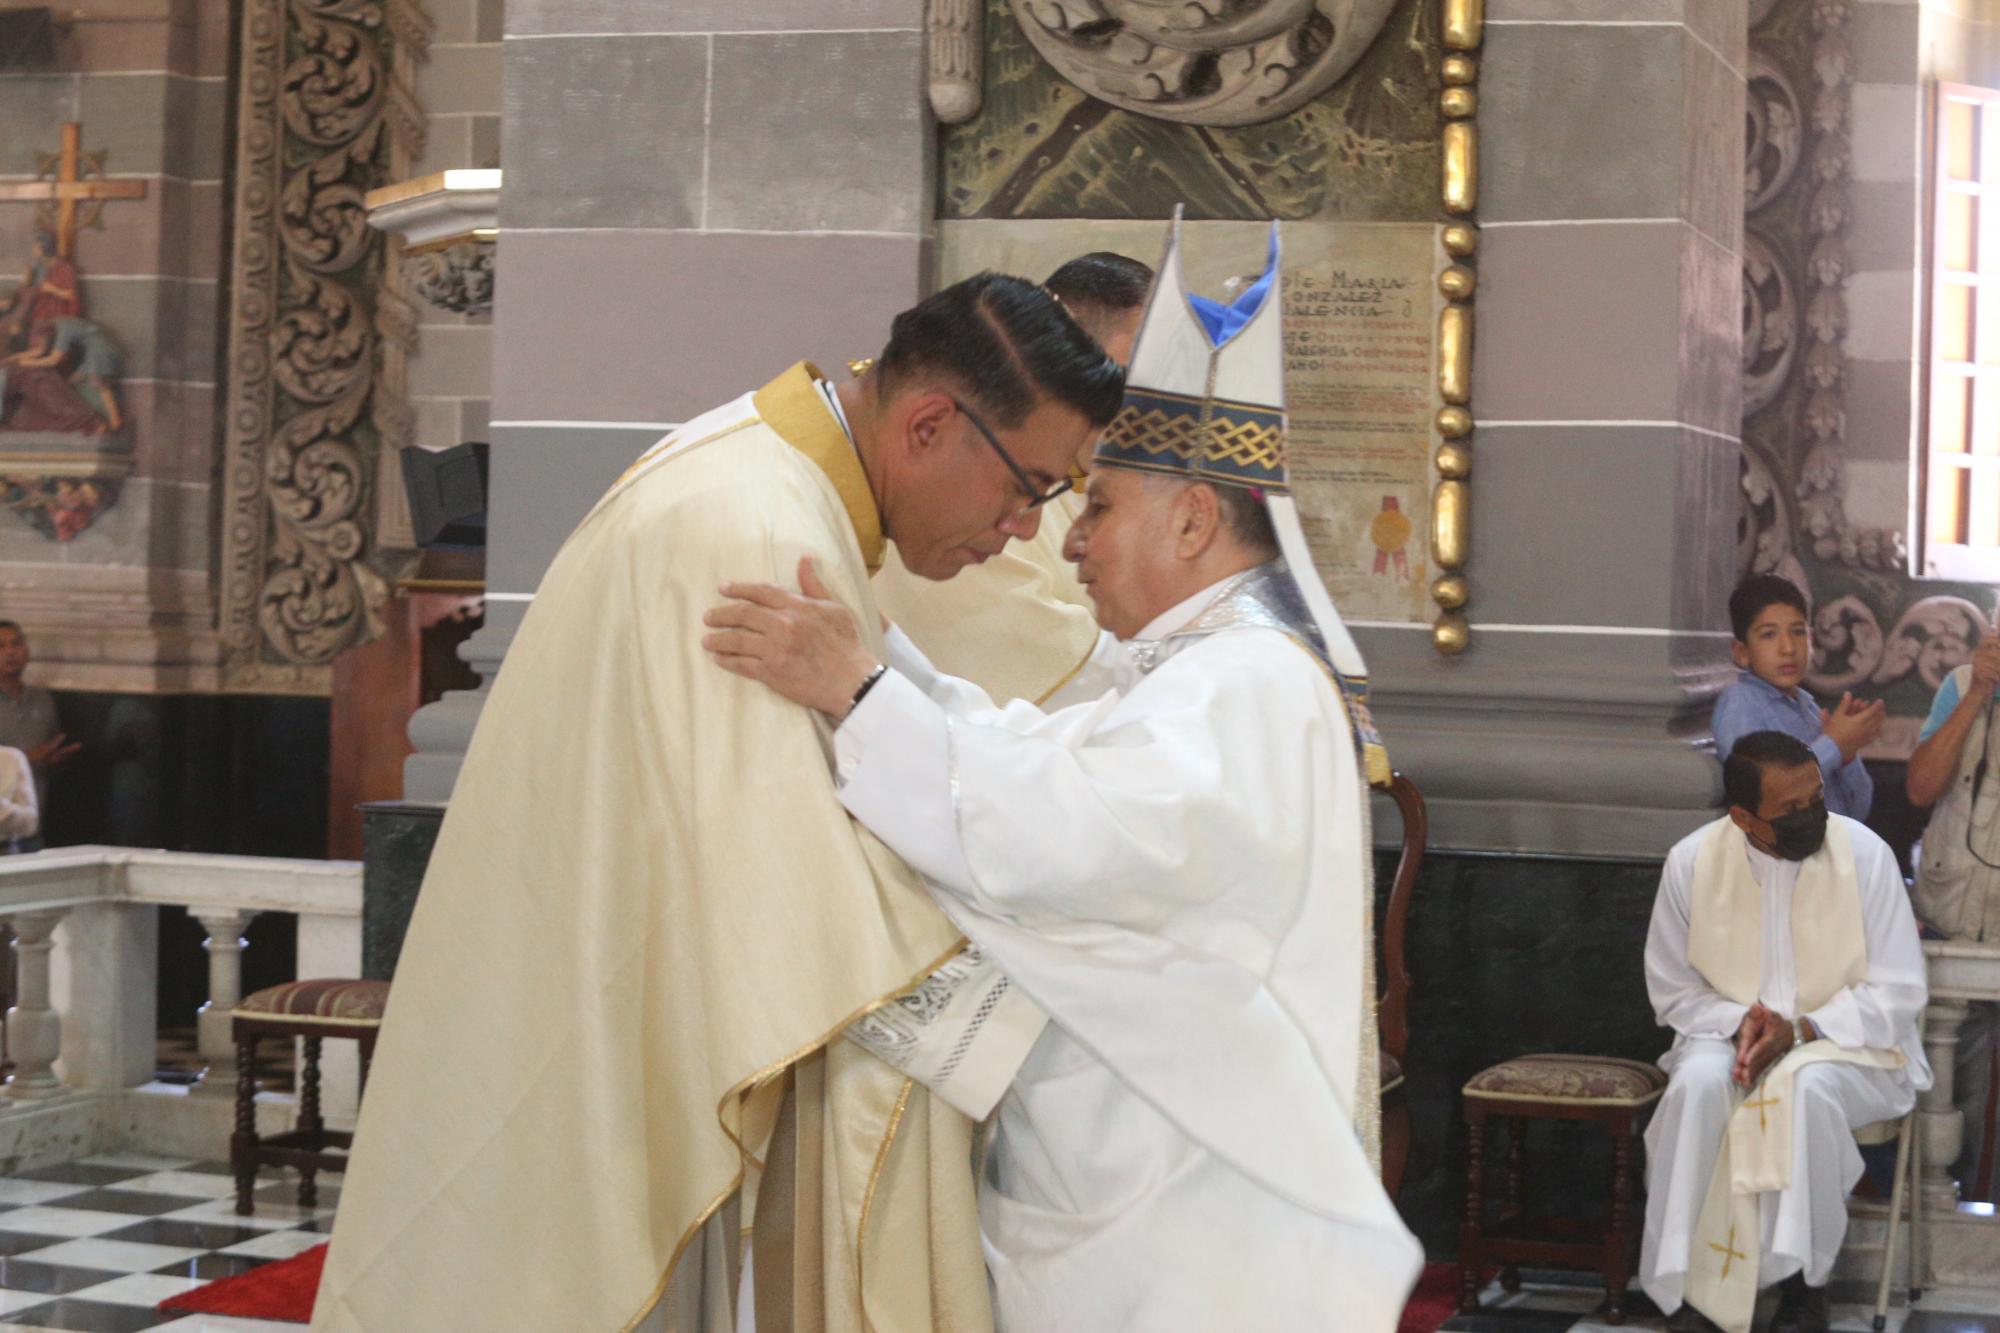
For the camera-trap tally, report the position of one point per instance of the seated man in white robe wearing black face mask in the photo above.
(1785, 958)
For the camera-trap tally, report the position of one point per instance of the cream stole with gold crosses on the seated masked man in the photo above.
(1831, 956)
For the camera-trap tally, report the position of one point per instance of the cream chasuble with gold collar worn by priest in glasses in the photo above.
(645, 920)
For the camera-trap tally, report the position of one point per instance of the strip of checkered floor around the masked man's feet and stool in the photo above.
(1573, 1304)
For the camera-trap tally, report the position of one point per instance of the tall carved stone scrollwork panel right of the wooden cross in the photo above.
(319, 333)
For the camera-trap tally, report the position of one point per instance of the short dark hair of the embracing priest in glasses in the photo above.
(1007, 345)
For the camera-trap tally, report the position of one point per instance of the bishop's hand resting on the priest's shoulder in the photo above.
(805, 645)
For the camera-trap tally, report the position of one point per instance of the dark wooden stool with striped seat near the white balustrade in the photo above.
(315, 1012)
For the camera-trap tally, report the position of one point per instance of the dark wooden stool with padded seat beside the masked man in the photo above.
(1553, 1088)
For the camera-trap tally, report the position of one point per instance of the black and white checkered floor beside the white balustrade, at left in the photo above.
(99, 1244)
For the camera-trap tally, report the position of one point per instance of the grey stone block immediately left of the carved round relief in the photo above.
(845, 149)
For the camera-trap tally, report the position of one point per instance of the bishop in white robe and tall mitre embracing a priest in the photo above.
(1175, 876)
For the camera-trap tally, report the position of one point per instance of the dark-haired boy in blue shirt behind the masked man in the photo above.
(1773, 647)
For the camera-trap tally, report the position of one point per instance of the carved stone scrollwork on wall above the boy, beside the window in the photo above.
(1795, 521)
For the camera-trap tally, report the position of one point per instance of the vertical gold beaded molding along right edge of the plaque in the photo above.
(1451, 501)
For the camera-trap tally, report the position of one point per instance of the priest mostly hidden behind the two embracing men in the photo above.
(1019, 625)
